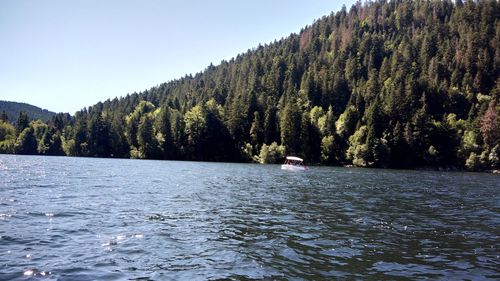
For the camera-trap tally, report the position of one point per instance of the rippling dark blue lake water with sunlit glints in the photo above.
(65, 218)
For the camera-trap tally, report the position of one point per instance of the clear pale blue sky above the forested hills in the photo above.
(65, 55)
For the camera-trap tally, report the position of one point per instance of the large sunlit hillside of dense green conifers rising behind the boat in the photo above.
(384, 84)
